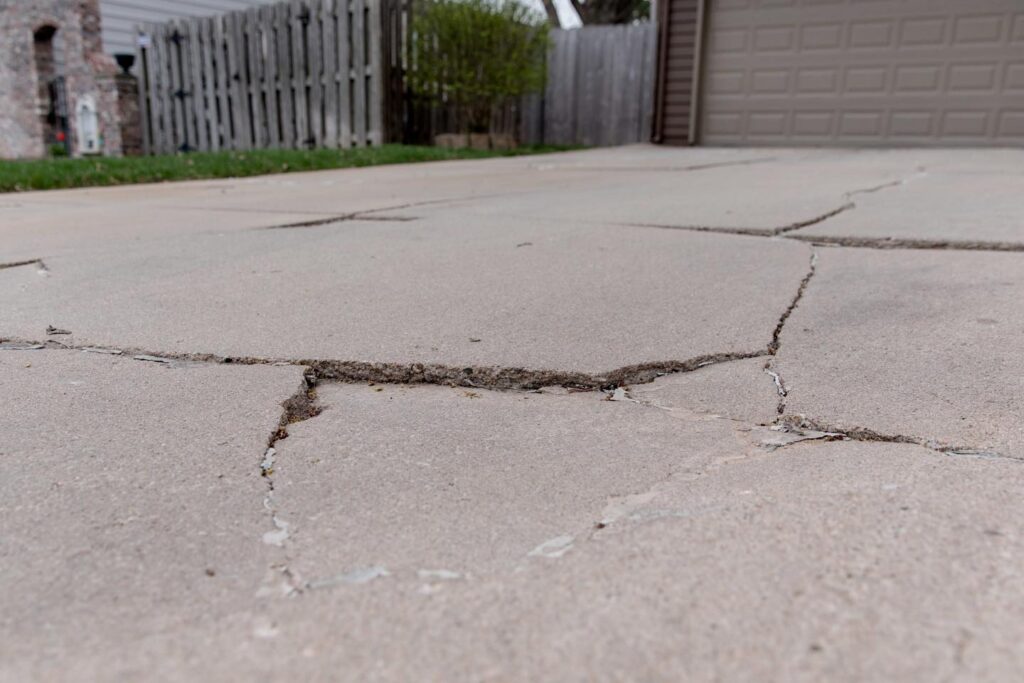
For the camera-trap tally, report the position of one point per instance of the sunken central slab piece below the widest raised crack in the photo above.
(448, 483)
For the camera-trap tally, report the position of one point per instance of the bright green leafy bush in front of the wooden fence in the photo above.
(478, 56)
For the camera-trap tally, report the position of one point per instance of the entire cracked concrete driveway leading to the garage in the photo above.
(636, 414)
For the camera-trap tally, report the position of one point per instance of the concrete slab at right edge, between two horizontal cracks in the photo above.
(924, 345)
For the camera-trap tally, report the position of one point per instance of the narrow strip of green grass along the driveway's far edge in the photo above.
(58, 174)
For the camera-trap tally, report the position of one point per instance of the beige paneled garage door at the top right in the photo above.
(864, 72)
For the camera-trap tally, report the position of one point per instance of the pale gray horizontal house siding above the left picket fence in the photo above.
(121, 17)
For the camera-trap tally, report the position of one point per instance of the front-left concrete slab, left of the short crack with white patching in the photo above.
(132, 503)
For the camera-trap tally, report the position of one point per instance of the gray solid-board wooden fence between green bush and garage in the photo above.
(601, 88)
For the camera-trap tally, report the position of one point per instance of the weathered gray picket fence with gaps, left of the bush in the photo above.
(298, 75)
